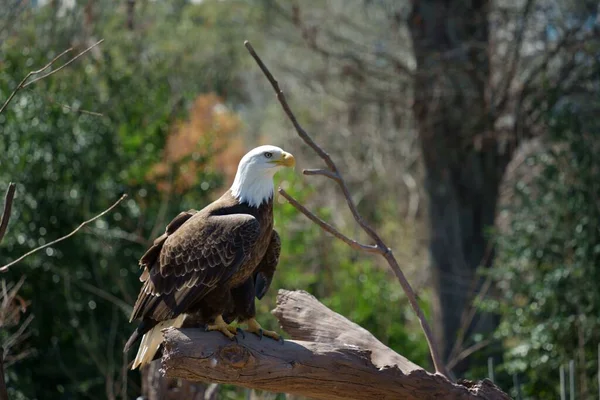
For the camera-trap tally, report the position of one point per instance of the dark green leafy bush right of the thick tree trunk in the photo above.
(548, 264)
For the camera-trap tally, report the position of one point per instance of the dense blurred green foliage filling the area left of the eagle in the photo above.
(70, 164)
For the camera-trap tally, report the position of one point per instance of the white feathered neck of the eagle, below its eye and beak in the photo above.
(253, 187)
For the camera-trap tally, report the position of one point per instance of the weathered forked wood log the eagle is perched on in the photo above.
(335, 359)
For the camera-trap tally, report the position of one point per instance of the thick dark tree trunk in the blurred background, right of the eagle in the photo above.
(464, 160)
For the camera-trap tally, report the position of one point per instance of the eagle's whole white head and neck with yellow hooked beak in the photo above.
(253, 183)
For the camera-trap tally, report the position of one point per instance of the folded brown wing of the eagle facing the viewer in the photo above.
(197, 255)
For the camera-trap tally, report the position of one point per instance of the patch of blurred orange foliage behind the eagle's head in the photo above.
(207, 141)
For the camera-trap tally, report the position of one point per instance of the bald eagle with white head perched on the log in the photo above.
(209, 265)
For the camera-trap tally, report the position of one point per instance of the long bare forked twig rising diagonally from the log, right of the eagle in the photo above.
(333, 173)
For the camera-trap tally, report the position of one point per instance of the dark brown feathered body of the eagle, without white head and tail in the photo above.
(208, 263)
